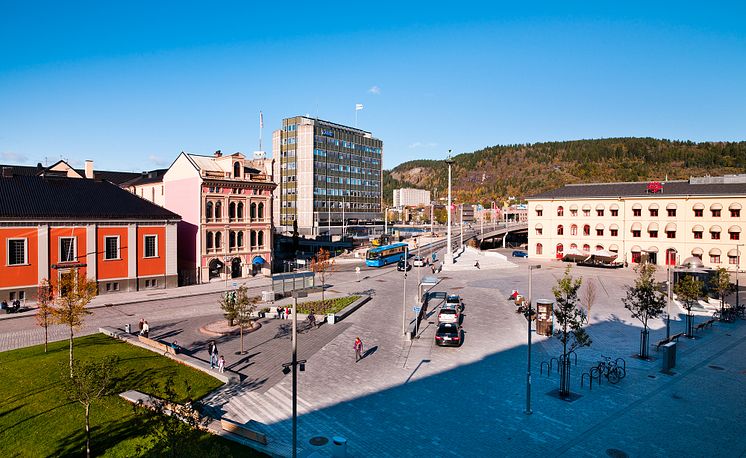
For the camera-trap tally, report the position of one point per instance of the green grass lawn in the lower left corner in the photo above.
(37, 420)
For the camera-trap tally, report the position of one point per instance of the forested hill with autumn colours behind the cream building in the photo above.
(499, 172)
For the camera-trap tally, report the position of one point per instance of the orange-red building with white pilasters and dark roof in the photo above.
(52, 225)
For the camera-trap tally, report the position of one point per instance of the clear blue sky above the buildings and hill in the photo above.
(130, 84)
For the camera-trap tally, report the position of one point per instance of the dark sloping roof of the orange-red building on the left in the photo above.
(36, 197)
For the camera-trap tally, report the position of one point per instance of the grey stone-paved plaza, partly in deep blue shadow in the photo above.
(416, 399)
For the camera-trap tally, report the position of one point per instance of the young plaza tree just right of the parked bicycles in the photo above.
(644, 301)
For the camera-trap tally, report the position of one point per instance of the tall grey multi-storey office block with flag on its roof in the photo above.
(329, 177)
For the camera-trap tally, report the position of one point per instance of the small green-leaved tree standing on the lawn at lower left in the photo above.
(89, 381)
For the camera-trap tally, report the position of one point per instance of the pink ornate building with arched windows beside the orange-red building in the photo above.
(226, 206)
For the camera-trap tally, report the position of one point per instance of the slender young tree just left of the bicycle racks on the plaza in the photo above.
(570, 318)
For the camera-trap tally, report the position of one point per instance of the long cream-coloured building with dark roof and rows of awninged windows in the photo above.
(700, 217)
